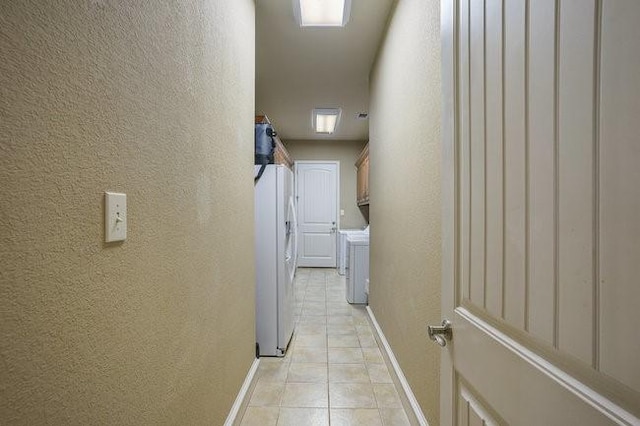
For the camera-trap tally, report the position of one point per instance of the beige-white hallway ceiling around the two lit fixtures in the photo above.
(298, 69)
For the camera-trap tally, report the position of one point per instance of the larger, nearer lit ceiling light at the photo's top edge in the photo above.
(322, 13)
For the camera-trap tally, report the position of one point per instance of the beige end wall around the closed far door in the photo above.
(347, 153)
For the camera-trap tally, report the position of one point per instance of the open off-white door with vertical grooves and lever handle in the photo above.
(541, 212)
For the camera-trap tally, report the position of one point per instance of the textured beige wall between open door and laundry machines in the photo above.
(405, 193)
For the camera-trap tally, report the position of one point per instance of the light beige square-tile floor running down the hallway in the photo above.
(333, 372)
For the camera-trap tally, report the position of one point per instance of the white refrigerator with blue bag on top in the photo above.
(276, 258)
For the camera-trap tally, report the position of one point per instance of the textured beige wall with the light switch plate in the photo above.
(154, 99)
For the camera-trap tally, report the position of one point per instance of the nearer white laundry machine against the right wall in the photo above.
(358, 268)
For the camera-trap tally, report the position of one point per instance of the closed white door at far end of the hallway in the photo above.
(317, 191)
